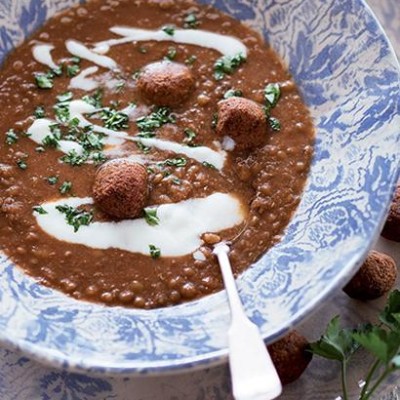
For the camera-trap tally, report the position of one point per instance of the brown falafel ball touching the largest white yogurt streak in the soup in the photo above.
(120, 188)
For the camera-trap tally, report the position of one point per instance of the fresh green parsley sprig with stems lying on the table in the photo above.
(382, 341)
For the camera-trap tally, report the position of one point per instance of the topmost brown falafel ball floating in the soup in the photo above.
(165, 83)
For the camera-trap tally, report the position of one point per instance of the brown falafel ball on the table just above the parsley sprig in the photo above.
(375, 277)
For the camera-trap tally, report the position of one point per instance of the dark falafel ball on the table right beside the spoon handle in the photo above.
(290, 356)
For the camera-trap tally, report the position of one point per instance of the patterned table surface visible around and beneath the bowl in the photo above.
(21, 378)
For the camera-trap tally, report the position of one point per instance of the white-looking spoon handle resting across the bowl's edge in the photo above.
(253, 373)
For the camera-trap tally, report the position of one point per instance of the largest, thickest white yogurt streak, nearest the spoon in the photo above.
(177, 234)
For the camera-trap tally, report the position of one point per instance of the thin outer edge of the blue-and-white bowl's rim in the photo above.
(49, 357)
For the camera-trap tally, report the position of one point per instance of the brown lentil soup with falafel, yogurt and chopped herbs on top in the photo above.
(214, 138)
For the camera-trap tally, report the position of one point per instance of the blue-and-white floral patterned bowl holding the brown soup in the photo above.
(349, 77)
